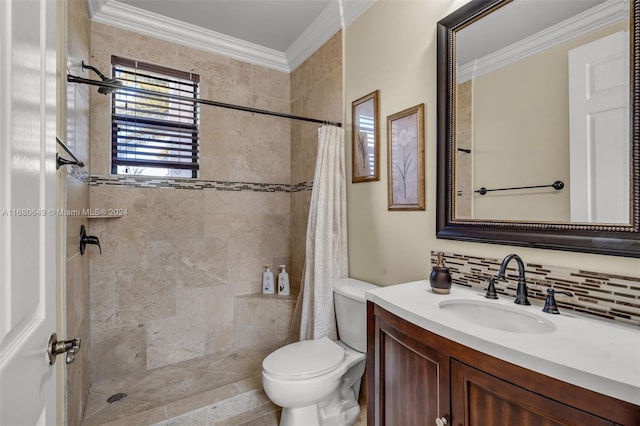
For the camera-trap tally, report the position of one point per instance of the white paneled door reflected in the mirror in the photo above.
(599, 130)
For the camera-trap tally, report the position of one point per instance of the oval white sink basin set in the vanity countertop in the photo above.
(498, 317)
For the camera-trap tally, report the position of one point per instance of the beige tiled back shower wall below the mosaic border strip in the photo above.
(163, 290)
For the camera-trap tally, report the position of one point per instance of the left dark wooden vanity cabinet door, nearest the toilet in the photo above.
(408, 381)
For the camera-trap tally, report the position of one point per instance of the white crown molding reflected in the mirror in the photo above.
(598, 17)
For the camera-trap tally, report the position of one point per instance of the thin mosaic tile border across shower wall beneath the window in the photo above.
(195, 184)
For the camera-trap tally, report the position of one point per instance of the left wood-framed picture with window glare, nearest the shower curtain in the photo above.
(365, 140)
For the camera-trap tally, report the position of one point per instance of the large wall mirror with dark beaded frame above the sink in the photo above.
(538, 124)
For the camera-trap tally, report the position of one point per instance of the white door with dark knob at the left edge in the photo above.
(27, 216)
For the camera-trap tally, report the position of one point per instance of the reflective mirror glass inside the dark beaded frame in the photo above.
(545, 100)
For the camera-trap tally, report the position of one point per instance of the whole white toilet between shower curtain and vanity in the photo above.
(317, 382)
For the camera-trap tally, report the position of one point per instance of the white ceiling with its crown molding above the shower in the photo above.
(278, 34)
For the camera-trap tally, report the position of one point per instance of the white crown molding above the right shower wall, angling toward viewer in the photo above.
(323, 28)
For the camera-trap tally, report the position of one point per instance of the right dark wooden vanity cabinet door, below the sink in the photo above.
(479, 398)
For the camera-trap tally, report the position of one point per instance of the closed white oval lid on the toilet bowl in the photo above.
(305, 359)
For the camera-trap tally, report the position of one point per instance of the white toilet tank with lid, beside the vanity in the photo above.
(351, 312)
